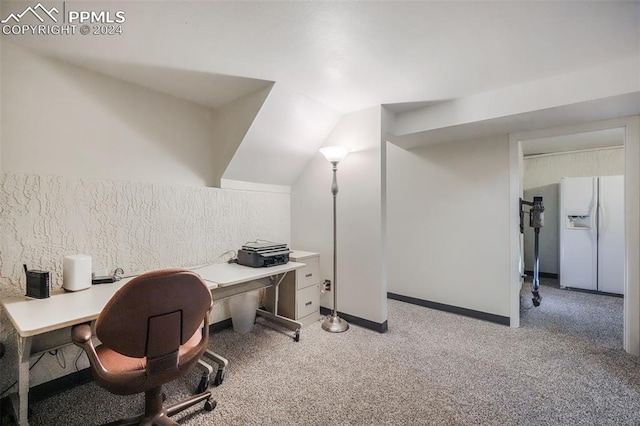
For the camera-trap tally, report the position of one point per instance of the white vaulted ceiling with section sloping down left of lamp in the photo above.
(333, 58)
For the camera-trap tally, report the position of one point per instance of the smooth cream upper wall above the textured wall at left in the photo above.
(60, 119)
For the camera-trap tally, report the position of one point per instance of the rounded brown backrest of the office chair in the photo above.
(154, 313)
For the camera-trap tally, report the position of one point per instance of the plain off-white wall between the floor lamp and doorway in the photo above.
(448, 216)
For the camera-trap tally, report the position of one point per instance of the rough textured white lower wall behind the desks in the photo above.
(135, 226)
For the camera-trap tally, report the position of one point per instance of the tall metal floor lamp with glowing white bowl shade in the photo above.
(333, 323)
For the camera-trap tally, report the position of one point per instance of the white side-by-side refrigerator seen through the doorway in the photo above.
(592, 233)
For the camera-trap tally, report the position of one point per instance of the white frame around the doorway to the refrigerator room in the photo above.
(631, 333)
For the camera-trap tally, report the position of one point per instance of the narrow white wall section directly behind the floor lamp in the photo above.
(361, 286)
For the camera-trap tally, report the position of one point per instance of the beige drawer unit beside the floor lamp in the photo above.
(299, 294)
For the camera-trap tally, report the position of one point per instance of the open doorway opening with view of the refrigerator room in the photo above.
(578, 157)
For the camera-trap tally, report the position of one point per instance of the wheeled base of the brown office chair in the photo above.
(161, 417)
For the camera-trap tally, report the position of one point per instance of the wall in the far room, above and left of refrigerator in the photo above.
(541, 177)
